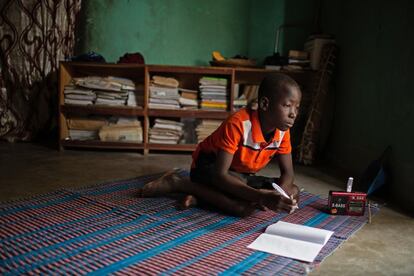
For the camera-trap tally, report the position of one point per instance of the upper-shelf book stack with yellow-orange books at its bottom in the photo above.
(213, 93)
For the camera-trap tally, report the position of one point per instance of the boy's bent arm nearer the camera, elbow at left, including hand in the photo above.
(236, 187)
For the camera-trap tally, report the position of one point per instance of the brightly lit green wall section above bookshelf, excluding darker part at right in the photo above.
(177, 32)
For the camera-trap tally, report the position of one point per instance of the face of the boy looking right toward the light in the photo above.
(281, 111)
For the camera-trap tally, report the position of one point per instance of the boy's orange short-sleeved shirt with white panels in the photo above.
(241, 136)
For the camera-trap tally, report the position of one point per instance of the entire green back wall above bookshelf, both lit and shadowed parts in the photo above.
(185, 32)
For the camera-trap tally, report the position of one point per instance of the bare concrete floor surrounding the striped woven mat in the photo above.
(384, 247)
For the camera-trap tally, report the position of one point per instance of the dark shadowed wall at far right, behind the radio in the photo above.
(374, 88)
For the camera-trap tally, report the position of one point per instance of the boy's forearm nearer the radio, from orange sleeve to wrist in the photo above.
(287, 175)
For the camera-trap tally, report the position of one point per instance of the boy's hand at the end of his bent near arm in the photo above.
(276, 202)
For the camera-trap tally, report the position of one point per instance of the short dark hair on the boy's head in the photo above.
(274, 83)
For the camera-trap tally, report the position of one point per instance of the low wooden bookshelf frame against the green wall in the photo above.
(188, 77)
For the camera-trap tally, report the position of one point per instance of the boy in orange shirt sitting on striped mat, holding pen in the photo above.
(225, 163)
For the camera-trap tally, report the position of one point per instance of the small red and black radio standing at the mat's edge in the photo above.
(347, 203)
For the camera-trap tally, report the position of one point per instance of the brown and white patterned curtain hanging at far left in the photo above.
(34, 36)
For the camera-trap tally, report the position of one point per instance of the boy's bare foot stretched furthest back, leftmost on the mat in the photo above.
(166, 184)
